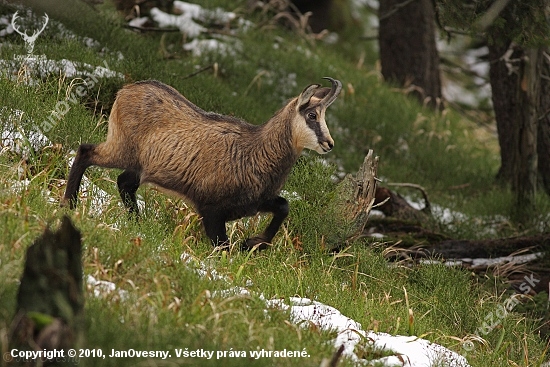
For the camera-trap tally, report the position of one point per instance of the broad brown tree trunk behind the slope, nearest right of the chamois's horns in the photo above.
(408, 53)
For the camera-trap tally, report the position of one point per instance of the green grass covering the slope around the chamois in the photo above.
(169, 306)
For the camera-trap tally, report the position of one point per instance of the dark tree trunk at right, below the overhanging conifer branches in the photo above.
(515, 76)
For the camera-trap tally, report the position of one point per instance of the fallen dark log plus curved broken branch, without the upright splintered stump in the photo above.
(408, 239)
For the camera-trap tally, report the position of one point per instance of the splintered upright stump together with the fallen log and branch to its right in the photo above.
(407, 239)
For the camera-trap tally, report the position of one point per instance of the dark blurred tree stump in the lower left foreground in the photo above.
(50, 300)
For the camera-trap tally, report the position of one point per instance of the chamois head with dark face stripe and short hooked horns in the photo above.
(310, 127)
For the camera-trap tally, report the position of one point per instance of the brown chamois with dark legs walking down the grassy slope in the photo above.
(223, 166)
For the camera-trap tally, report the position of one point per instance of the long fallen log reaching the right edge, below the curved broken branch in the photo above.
(511, 258)
